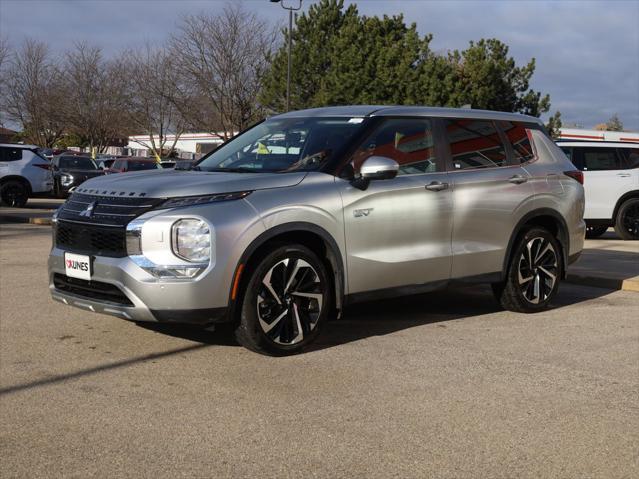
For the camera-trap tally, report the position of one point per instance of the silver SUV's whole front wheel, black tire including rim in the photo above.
(273, 317)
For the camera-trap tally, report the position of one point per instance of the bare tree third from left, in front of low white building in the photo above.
(151, 106)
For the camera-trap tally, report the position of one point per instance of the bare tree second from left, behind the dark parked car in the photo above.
(96, 96)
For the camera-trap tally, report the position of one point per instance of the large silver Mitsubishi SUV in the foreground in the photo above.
(281, 227)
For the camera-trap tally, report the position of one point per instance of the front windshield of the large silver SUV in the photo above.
(280, 145)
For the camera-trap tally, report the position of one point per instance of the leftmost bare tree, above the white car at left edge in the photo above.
(33, 95)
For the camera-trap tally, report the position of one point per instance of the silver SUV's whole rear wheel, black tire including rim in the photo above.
(534, 289)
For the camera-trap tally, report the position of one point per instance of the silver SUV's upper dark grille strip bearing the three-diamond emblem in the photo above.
(105, 210)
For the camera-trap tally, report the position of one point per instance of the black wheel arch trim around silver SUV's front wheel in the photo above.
(333, 255)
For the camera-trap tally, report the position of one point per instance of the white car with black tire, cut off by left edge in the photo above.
(23, 173)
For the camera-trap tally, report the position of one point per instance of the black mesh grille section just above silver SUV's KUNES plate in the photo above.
(91, 239)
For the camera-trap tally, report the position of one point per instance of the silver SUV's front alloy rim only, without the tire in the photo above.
(289, 301)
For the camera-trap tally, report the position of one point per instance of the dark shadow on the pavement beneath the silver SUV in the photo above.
(378, 318)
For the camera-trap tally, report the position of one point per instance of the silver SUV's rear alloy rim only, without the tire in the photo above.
(537, 270)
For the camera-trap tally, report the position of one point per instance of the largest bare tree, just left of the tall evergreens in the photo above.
(221, 60)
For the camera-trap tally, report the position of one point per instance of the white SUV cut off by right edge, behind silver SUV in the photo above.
(611, 183)
